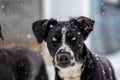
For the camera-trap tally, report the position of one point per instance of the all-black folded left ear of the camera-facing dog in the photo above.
(41, 27)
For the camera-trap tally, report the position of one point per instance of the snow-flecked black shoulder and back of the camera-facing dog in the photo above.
(97, 67)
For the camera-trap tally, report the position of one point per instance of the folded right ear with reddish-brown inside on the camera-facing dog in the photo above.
(86, 25)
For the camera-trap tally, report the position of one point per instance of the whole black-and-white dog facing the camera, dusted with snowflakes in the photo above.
(71, 57)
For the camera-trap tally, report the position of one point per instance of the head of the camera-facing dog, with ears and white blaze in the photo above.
(64, 38)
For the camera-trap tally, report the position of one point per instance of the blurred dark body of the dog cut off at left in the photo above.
(21, 63)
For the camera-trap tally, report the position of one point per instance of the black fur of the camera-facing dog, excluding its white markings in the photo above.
(96, 67)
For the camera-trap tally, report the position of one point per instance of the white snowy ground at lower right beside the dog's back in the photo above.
(115, 60)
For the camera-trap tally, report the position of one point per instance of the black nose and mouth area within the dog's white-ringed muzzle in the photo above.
(63, 59)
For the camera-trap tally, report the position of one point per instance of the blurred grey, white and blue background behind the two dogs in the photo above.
(16, 17)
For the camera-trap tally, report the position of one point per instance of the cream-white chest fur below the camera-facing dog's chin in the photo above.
(71, 73)
